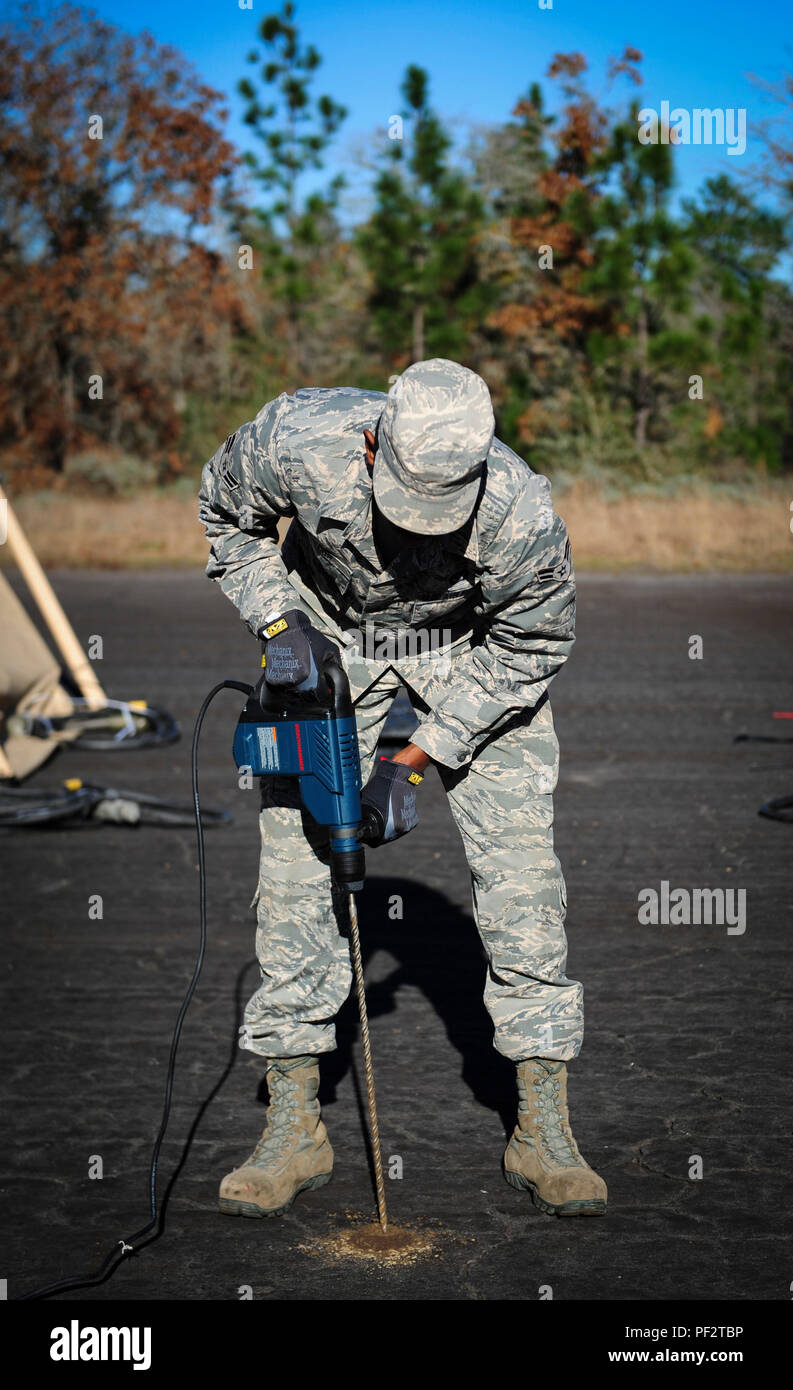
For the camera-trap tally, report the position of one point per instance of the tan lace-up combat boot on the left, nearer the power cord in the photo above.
(294, 1153)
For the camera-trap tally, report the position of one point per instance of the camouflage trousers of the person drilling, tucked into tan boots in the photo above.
(503, 807)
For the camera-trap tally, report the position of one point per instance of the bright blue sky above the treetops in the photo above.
(483, 56)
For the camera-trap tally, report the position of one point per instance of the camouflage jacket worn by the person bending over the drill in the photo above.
(506, 580)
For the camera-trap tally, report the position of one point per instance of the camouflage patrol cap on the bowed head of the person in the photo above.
(434, 437)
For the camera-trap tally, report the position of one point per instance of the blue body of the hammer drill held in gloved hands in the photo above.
(285, 735)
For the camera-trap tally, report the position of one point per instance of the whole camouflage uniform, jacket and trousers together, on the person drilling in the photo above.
(499, 593)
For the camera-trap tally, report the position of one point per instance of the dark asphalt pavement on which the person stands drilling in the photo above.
(681, 1096)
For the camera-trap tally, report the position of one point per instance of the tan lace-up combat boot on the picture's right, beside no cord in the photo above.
(542, 1156)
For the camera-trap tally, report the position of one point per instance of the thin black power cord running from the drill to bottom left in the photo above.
(130, 1245)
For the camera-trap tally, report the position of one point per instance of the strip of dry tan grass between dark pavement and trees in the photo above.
(696, 529)
